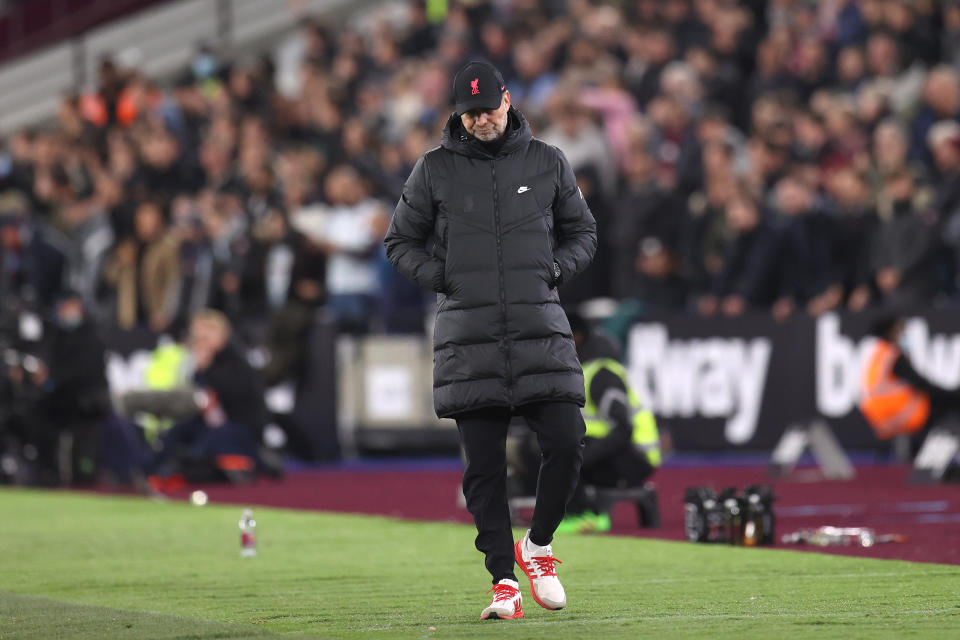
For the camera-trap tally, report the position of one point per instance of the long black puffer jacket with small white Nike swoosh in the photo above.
(484, 232)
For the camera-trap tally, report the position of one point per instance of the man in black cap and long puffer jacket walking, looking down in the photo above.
(492, 220)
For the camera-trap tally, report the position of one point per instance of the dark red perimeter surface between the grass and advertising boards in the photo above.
(879, 497)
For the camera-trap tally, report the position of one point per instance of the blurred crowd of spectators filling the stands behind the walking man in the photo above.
(782, 156)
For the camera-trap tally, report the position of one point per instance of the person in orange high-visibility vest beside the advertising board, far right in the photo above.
(895, 398)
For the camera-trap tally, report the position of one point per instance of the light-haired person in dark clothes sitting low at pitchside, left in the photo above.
(223, 438)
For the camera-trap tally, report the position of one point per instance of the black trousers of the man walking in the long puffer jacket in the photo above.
(483, 433)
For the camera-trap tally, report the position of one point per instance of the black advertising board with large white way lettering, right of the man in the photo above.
(738, 383)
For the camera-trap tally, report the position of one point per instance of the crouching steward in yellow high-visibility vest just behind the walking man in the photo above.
(622, 444)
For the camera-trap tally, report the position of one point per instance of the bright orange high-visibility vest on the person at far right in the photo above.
(890, 405)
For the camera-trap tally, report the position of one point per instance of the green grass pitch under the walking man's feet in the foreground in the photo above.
(78, 566)
